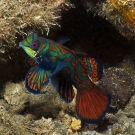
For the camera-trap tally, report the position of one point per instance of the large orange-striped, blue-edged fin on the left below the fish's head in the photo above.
(36, 78)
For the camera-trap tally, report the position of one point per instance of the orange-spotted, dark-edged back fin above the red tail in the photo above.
(93, 66)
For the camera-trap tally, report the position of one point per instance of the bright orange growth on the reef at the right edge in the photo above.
(129, 15)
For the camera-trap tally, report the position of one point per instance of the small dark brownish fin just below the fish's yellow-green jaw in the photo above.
(30, 62)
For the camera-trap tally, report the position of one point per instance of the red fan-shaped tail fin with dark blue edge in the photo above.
(92, 103)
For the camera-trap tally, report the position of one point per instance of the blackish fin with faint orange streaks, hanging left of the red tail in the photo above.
(65, 90)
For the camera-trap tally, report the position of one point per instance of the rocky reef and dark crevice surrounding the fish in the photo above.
(98, 27)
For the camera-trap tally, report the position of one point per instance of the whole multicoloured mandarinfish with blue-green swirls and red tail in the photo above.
(65, 68)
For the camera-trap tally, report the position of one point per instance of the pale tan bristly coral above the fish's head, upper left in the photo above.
(17, 15)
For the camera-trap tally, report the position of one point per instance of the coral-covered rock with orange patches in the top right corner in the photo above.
(121, 14)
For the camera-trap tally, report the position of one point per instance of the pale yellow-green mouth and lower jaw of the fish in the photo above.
(28, 50)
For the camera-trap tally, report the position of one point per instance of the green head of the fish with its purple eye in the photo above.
(31, 44)
